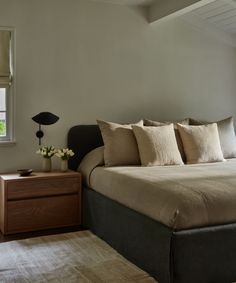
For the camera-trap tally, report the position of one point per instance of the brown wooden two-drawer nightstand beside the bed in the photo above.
(40, 201)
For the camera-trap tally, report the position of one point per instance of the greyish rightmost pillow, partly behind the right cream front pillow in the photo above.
(226, 134)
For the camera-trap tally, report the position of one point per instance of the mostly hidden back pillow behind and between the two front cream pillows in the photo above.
(178, 139)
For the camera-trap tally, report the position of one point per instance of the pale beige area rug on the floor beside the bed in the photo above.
(72, 257)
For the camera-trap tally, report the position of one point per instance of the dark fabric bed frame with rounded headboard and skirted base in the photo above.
(202, 255)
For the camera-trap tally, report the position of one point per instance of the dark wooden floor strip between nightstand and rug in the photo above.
(21, 236)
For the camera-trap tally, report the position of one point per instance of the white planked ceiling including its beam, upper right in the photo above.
(215, 16)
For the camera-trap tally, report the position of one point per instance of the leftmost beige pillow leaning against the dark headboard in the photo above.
(120, 146)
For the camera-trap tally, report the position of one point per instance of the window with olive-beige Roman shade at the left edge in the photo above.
(6, 85)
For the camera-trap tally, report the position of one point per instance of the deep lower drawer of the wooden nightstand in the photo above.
(36, 214)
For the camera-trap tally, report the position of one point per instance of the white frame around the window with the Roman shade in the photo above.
(9, 139)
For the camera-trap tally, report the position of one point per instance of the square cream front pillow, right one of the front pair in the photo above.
(201, 143)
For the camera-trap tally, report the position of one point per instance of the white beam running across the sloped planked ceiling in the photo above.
(164, 10)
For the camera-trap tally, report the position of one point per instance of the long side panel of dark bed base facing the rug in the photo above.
(133, 235)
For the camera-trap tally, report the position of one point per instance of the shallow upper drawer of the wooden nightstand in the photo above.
(33, 188)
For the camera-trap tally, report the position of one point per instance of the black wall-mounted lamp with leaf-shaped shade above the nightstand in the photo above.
(44, 118)
